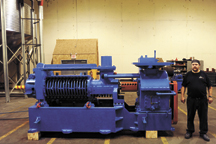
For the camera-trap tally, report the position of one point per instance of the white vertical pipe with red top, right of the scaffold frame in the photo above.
(40, 3)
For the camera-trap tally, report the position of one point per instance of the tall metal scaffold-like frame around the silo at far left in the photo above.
(29, 48)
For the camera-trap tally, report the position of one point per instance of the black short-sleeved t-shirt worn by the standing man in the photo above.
(196, 84)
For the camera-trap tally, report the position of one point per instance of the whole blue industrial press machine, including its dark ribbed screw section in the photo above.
(79, 103)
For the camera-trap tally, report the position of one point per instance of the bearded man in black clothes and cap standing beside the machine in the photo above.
(196, 82)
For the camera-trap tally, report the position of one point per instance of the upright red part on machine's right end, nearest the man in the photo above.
(175, 102)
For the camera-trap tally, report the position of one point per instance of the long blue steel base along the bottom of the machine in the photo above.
(104, 120)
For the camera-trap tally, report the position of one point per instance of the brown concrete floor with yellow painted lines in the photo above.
(15, 131)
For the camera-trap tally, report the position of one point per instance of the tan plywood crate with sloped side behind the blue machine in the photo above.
(86, 49)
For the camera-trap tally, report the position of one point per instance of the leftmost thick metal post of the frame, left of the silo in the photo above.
(4, 50)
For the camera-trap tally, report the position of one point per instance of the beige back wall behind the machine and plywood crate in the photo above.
(127, 29)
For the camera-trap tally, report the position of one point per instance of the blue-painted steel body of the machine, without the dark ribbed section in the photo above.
(152, 111)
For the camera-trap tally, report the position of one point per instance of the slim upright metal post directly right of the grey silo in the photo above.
(23, 42)
